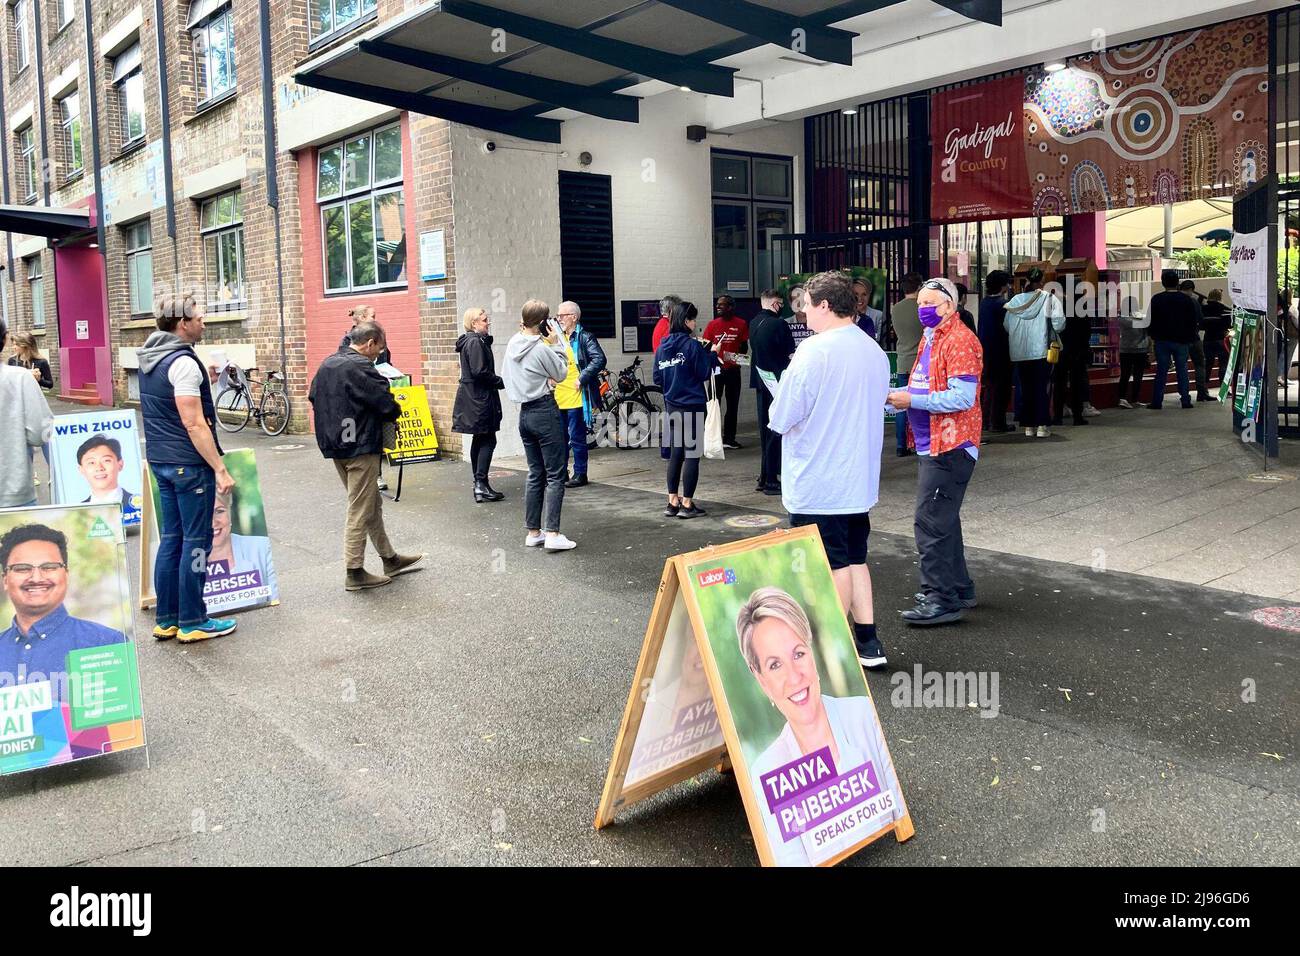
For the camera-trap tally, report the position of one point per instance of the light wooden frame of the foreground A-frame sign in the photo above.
(674, 585)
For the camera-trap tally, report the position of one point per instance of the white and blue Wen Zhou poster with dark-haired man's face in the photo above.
(96, 458)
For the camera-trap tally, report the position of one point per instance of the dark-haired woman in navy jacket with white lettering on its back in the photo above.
(682, 369)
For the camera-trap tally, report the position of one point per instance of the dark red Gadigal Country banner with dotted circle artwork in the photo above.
(1162, 122)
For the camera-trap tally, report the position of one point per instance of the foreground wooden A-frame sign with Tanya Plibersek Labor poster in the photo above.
(749, 660)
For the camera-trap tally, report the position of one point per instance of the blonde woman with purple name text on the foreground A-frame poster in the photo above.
(812, 808)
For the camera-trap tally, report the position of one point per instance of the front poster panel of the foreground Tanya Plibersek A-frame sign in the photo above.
(813, 764)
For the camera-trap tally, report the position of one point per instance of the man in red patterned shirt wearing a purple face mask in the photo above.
(944, 422)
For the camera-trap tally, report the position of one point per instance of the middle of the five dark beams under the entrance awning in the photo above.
(699, 76)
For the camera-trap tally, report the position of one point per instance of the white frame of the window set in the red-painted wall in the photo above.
(345, 197)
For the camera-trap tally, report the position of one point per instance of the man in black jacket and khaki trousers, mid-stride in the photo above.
(352, 404)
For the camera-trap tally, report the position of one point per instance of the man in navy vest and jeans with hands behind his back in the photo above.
(185, 458)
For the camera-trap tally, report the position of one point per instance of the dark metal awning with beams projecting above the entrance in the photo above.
(502, 64)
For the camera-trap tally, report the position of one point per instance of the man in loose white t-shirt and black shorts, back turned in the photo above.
(830, 412)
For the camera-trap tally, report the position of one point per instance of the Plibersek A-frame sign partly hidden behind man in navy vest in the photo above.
(241, 572)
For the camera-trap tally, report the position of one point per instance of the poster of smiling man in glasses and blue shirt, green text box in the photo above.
(70, 685)
